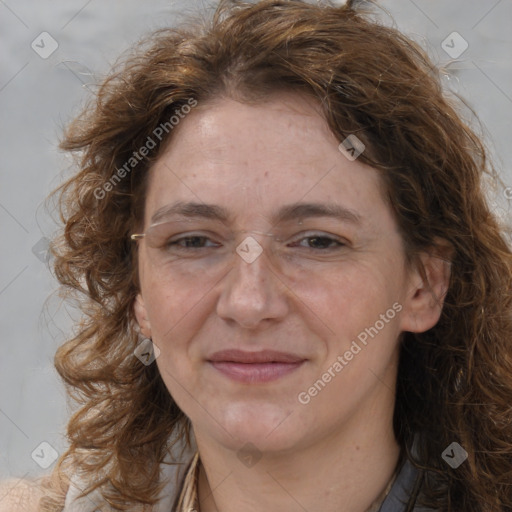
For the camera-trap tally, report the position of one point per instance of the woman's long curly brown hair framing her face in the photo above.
(454, 381)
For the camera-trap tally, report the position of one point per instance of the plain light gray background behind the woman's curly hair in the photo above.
(40, 95)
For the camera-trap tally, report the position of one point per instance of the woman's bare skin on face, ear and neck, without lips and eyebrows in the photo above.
(337, 452)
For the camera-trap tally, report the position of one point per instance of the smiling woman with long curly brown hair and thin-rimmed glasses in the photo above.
(295, 296)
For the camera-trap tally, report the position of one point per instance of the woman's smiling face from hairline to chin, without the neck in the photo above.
(278, 312)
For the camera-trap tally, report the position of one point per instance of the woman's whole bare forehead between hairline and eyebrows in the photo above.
(253, 158)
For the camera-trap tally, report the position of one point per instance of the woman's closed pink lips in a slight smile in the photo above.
(252, 367)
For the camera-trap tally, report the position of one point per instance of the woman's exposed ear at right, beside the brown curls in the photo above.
(429, 281)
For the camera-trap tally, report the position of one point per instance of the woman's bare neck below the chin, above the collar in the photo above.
(347, 470)
